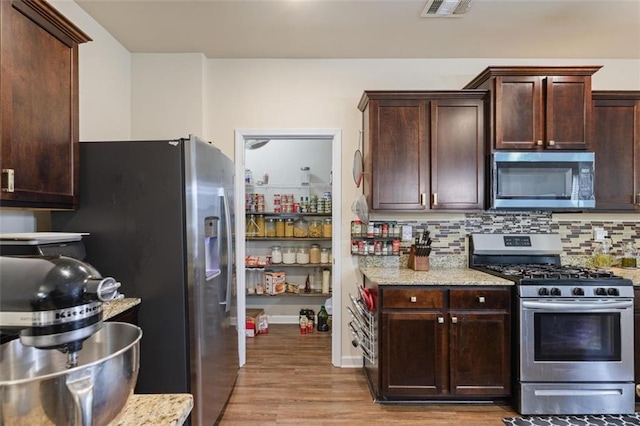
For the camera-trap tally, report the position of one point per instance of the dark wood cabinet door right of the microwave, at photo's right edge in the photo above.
(616, 143)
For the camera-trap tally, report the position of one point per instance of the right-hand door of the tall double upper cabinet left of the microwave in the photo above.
(457, 154)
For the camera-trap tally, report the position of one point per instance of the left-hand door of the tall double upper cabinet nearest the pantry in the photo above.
(396, 154)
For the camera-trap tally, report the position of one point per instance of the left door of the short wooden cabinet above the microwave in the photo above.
(518, 112)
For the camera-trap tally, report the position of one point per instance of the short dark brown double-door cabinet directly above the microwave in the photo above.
(538, 108)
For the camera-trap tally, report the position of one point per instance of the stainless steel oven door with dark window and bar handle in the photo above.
(581, 340)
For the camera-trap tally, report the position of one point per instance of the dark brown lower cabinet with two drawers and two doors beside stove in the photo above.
(444, 343)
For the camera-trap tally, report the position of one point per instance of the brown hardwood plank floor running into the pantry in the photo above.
(288, 379)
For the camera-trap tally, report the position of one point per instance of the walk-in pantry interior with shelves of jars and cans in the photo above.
(288, 227)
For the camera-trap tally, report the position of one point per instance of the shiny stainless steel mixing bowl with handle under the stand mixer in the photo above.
(36, 388)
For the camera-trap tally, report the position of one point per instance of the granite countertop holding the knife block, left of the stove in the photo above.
(406, 276)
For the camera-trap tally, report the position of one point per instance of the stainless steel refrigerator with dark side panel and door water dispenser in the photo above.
(160, 220)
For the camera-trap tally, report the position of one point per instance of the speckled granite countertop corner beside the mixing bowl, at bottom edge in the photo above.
(155, 410)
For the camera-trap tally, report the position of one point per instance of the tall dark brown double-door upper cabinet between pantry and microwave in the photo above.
(424, 151)
